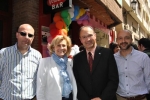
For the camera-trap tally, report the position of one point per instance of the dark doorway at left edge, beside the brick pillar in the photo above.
(5, 23)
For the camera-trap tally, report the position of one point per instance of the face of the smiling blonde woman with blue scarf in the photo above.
(60, 49)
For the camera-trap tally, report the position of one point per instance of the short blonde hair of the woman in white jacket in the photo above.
(57, 40)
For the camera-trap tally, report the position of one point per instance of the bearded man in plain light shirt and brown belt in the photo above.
(134, 69)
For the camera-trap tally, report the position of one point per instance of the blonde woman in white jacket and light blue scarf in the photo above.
(55, 79)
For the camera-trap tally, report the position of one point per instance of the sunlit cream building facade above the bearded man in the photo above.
(136, 20)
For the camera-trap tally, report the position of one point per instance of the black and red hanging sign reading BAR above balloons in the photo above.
(59, 4)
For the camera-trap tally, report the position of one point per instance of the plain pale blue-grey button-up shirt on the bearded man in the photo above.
(134, 73)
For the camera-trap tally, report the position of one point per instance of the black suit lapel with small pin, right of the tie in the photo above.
(97, 56)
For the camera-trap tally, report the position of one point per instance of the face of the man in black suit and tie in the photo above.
(88, 38)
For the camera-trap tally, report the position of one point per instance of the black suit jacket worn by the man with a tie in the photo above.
(102, 81)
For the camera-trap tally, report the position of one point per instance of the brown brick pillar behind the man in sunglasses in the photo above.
(26, 11)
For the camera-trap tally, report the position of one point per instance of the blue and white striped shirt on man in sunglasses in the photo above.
(18, 73)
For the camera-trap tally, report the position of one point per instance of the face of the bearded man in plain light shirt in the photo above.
(124, 39)
